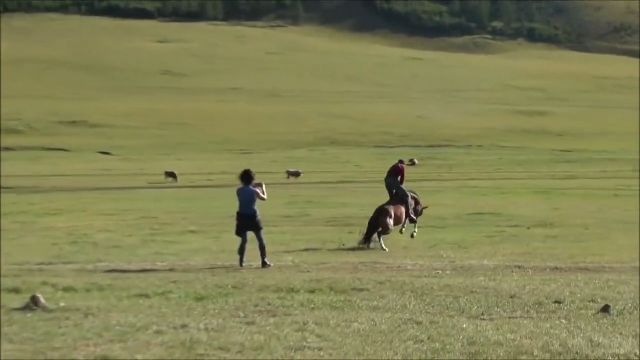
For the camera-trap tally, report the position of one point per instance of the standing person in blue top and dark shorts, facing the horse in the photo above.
(247, 217)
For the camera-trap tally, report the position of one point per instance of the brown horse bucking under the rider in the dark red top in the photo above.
(388, 215)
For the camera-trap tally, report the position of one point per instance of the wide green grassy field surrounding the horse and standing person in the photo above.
(528, 160)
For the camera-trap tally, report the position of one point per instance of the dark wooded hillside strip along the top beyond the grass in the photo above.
(596, 26)
